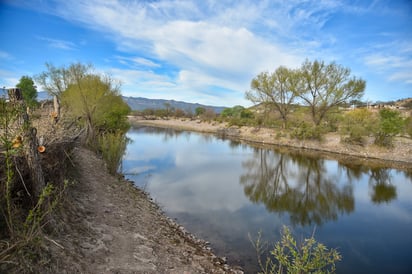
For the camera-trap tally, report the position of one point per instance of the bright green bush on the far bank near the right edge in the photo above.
(391, 123)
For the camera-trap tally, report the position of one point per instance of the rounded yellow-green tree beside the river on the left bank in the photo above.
(97, 101)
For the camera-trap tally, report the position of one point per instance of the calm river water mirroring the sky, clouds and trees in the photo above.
(223, 191)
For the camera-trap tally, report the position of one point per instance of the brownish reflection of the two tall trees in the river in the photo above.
(297, 185)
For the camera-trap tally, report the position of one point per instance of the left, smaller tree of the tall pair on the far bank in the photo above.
(277, 89)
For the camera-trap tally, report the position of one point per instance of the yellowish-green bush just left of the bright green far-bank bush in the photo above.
(356, 124)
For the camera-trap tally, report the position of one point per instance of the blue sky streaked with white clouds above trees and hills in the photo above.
(208, 51)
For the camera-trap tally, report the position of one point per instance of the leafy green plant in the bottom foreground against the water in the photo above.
(291, 257)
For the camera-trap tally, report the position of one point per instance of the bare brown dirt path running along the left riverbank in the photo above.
(112, 227)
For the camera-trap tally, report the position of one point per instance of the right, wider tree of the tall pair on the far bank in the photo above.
(325, 86)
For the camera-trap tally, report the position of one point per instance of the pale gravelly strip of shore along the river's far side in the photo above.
(400, 156)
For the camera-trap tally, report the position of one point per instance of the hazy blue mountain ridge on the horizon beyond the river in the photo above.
(139, 103)
